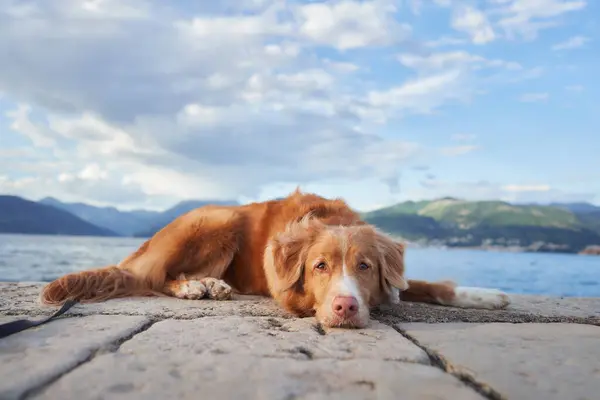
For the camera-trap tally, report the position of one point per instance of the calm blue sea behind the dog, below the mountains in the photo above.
(43, 258)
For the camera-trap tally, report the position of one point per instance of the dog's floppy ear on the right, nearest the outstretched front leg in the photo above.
(391, 261)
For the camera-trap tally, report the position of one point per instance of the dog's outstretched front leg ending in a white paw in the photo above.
(449, 294)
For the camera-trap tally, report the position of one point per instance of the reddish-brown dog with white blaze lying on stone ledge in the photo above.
(314, 256)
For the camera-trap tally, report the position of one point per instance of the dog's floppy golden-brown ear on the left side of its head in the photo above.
(288, 251)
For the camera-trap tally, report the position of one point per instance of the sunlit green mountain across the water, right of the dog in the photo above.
(459, 223)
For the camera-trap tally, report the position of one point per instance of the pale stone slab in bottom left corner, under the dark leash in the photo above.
(38, 355)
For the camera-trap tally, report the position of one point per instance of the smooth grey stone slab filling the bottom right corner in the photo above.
(523, 361)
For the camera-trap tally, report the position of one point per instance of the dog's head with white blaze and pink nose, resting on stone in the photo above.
(336, 273)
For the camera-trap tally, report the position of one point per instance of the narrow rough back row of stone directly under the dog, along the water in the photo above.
(21, 298)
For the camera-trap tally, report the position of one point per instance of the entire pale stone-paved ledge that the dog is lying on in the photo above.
(249, 348)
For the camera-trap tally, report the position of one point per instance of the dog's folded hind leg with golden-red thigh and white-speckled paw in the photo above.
(188, 258)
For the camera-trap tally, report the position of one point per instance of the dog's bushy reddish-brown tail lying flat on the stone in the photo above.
(96, 285)
